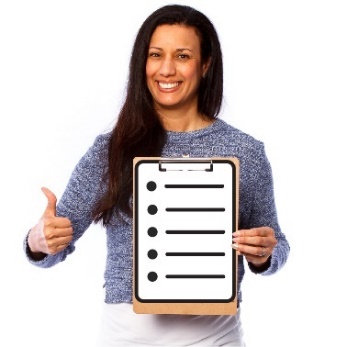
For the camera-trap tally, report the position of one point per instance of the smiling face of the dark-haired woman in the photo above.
(174, 68)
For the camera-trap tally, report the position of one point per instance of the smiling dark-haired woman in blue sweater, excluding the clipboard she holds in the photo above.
(174, 96)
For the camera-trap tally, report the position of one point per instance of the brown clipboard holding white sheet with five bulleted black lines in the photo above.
(185, 211)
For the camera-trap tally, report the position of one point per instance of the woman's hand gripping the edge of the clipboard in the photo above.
(255, 244)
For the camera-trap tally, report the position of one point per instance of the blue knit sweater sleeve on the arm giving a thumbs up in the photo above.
(83, 190)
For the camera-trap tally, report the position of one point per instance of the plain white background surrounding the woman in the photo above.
(63, 69)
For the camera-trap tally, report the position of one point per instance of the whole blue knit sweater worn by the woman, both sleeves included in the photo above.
(85, 187)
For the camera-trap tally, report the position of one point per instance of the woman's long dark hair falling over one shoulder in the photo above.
(138, 131)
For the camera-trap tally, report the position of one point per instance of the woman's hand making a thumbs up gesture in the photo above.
(51, 234)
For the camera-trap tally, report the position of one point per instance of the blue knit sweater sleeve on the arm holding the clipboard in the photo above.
(263, 213)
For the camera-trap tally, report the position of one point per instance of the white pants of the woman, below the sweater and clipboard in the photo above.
(120, 326)
